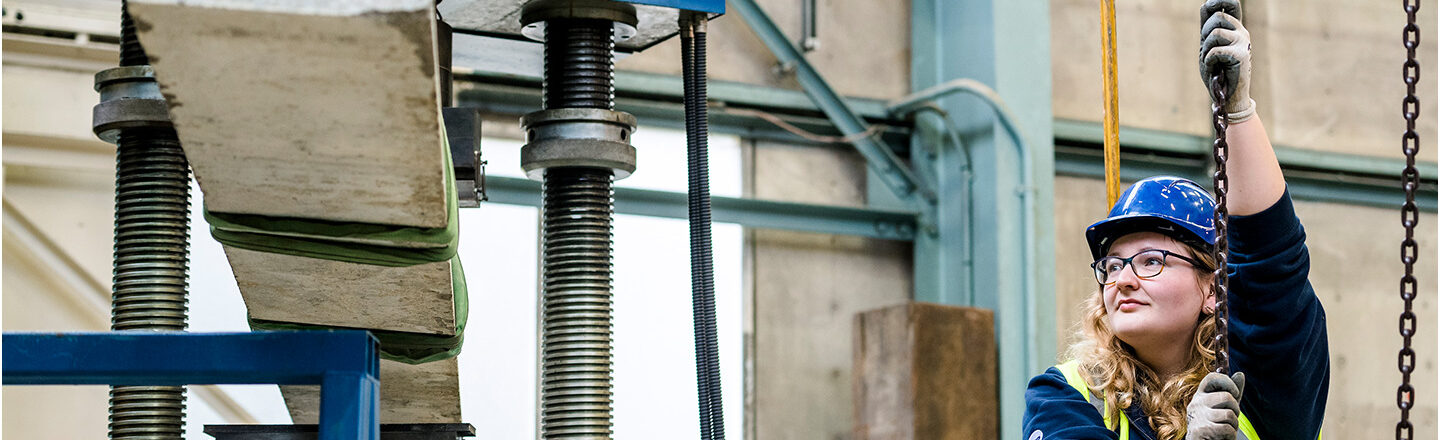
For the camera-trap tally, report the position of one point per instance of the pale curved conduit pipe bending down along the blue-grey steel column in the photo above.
(1027, 175)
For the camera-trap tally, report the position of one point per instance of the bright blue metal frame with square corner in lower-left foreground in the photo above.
(343, 363)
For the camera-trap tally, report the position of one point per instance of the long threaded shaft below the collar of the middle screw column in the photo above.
(577, 306)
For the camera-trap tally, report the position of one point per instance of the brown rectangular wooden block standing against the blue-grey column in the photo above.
(927, 372)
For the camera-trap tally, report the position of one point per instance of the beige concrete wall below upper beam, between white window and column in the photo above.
(809, 290)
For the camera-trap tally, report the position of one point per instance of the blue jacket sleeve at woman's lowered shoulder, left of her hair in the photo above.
(1058, 412)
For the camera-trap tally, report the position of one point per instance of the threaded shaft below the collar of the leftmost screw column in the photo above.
(150, 278)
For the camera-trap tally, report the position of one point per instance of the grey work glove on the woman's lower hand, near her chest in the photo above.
(1215, 412)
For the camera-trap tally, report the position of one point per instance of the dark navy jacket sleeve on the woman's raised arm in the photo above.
(1277, 326)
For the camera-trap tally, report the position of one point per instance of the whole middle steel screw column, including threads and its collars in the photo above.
(578, 146)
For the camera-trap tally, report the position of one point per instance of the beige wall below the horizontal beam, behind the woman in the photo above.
(1356, 272)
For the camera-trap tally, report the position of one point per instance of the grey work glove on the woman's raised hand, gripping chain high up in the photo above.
(1225, 47)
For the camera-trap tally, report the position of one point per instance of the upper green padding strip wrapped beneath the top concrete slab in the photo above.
(381, 245)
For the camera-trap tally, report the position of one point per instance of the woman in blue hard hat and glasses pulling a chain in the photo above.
(1143, 369)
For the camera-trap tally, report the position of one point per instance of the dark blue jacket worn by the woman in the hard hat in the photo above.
(1277, 337)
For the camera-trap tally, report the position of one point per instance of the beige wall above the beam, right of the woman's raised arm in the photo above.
(1331, 73)
